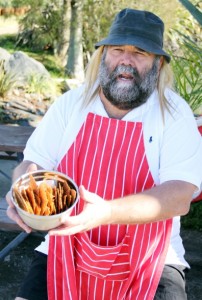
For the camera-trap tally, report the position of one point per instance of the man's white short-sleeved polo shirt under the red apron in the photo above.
(173, 146)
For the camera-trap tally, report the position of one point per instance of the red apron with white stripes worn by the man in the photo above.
(111, 262)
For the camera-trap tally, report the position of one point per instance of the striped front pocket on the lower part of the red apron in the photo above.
(105, 262)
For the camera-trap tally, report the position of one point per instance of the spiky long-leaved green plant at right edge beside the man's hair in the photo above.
(187, 60)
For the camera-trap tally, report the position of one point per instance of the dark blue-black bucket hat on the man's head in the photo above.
(142, 29)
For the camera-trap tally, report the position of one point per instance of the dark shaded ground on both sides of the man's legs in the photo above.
(15, 265)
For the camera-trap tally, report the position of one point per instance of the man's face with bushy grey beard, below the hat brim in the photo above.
(128, 76)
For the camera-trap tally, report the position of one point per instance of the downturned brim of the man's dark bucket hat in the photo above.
(146, 45)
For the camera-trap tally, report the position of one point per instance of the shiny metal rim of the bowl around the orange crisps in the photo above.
(33, 216)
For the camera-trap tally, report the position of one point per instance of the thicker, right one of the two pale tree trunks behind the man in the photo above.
(75, 66)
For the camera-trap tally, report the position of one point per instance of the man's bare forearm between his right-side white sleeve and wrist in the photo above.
(162, 202)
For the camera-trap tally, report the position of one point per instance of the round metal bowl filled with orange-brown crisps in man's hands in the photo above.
(42, 197)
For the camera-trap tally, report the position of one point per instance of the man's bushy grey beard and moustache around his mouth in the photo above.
(130, 94)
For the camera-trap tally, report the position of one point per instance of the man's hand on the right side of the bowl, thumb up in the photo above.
(96, 212)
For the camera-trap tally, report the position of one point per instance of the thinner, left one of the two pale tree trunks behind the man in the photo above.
(64, 33)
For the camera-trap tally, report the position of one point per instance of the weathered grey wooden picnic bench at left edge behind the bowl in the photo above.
(13, 140)
